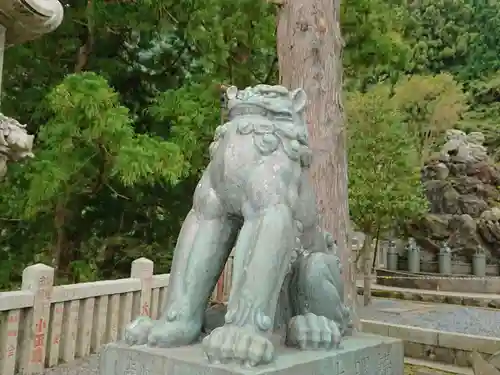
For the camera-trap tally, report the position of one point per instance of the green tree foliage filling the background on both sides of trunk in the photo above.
(119, 149)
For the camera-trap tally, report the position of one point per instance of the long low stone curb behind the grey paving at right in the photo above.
(465, 299)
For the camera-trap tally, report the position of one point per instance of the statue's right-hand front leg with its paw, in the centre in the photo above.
(262, 257)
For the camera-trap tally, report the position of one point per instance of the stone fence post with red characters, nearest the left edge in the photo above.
(38, 279)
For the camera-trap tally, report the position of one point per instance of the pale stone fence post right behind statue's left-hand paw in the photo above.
(142, 269)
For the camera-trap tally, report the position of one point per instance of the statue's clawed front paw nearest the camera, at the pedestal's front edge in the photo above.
(241, 344)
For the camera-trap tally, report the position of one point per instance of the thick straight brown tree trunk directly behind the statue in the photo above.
(309, 48)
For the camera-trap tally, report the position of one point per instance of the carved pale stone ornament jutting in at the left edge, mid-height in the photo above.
(15, 142)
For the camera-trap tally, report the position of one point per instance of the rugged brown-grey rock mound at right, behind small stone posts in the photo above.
(462, 185)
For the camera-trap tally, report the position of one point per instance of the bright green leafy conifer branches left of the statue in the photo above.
(88, 141)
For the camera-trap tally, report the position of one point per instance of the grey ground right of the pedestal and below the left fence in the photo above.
(451, 318)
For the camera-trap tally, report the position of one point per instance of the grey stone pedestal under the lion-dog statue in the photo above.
(363, 354)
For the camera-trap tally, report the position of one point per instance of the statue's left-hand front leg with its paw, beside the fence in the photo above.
(203, 246)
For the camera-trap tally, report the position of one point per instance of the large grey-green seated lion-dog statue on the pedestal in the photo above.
(255, 197)
